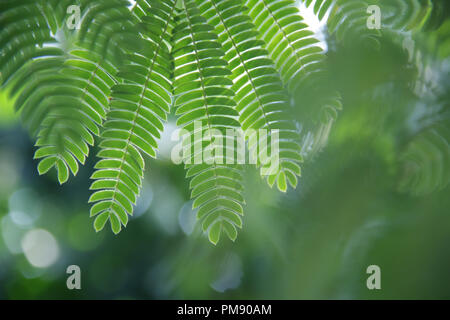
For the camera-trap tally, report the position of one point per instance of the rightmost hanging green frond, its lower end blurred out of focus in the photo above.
(302, 65)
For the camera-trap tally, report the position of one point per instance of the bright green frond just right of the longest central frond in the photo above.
(261, 100)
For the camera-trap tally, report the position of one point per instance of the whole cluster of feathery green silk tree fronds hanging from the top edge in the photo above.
(228, 64)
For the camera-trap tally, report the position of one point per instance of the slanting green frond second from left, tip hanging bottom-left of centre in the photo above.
(135, 119)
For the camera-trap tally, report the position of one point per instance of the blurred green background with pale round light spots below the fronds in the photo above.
(376, 195)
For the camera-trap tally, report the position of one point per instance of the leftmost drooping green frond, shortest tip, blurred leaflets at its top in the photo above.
(66, 105)
